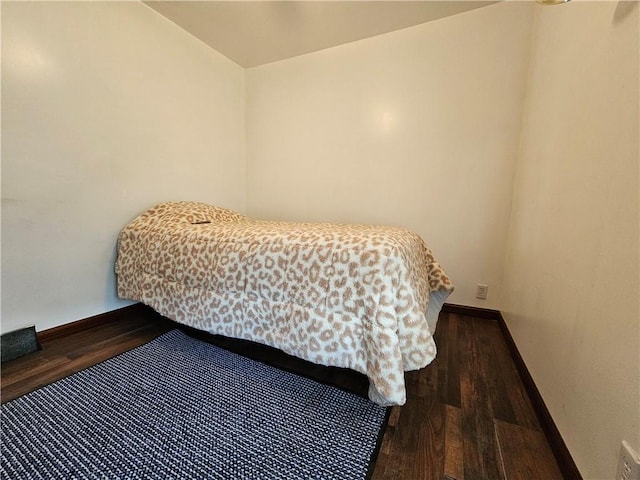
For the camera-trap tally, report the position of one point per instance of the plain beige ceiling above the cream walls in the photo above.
(253, 33)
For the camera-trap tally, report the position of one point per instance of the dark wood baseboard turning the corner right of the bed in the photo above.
(549, 428)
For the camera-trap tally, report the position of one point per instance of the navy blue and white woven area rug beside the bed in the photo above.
(180, 408)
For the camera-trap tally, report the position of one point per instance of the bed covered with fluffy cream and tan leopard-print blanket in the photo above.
(355, 296)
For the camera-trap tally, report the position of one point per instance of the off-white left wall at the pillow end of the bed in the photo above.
(107, 109)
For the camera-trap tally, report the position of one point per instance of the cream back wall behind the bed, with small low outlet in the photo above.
(417, 127)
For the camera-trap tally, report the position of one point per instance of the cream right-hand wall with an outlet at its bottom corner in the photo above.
(572, 269)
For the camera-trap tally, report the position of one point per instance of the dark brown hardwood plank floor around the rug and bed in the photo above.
(467, 414)
